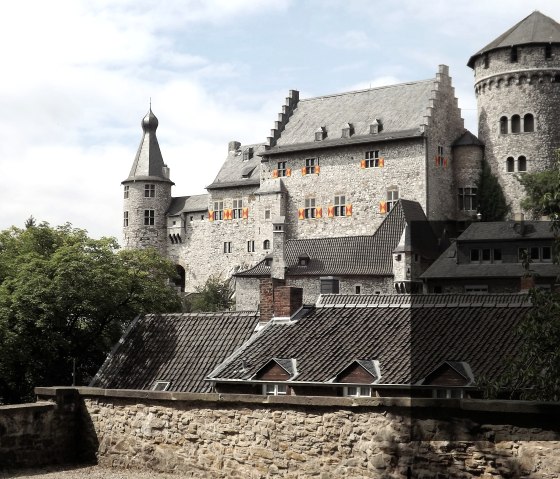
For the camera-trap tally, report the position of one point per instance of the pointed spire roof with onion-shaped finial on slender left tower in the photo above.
(148, 163)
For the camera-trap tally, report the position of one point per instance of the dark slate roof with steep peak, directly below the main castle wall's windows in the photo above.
(358, 255)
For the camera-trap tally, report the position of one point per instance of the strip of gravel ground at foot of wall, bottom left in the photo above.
(90, 472)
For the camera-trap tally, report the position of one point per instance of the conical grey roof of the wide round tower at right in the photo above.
(535, 28)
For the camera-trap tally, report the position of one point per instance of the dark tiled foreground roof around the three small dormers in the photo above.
(409, 335)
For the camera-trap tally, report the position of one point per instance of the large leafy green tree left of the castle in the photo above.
(65, 297)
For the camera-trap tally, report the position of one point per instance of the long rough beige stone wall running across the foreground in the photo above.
(235, 436)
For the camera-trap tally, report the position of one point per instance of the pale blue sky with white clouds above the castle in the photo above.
(78, 77)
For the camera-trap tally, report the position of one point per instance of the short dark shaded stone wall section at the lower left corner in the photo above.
(39, 434)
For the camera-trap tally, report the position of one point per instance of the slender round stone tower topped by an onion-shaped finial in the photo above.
(147, 193)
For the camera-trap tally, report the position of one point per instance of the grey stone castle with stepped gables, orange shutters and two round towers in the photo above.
(335, 166)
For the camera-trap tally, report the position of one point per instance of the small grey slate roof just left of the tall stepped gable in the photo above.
(232, 171)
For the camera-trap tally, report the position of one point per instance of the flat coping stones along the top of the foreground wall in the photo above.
(480, 405)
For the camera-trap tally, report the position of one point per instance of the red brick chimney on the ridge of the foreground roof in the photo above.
(278, 300)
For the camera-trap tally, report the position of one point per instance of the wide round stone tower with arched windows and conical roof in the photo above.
(517, 84)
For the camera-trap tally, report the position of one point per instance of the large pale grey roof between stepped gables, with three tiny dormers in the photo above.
(399, 108)
